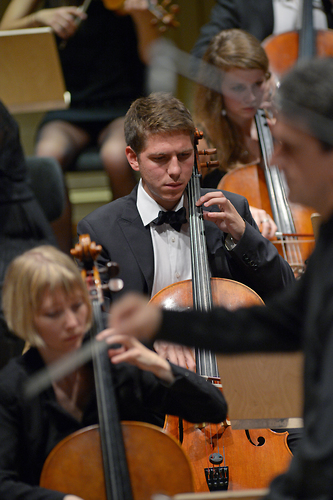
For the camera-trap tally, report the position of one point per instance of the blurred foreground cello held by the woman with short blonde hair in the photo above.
(108, 462)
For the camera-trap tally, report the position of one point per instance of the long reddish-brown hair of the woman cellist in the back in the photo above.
(229, 49)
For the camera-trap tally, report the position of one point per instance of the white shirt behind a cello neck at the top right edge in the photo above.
(288, 15)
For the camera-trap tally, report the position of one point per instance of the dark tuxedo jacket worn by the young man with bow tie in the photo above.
(118, 227)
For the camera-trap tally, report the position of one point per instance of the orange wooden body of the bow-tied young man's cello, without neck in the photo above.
(250, 459)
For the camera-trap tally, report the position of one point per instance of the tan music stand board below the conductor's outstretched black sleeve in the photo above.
(263, 390)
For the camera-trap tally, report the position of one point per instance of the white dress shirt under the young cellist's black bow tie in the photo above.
(172, 250)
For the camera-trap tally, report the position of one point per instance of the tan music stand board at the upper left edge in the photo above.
(31, 77)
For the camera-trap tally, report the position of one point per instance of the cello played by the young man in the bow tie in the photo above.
(222, 458)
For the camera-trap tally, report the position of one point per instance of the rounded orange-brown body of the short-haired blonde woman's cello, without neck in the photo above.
(75, 465)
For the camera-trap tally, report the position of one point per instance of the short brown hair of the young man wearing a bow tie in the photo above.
(159, 113)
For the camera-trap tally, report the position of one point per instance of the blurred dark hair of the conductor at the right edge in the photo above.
(306, 96)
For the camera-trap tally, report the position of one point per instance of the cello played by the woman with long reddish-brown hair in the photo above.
(266, 188)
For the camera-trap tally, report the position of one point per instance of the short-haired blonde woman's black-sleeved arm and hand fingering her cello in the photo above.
(172, 389)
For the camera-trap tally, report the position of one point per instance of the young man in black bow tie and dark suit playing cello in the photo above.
(159, 133)
